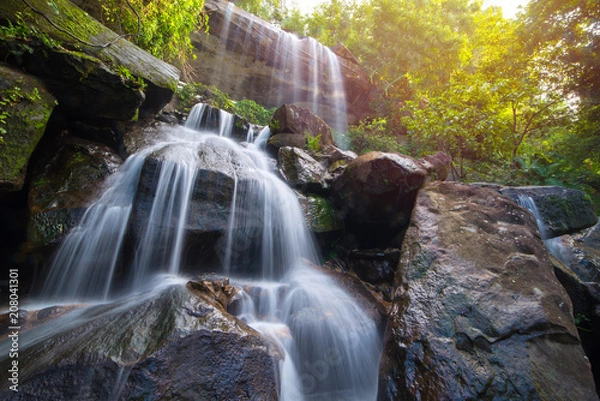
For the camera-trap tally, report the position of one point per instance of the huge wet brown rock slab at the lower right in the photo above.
(477, 310)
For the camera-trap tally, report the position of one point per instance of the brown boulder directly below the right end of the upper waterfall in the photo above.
(302, 124)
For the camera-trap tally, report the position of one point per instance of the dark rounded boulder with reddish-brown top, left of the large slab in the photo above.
(376, 193)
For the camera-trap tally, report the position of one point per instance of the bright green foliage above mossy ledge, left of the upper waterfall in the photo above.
(162, 27)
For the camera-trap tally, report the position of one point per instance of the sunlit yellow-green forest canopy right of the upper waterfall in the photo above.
(513, 100)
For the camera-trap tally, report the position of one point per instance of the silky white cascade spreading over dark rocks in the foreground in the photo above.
(331, 346)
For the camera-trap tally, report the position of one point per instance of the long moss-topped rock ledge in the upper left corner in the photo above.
(84, 39)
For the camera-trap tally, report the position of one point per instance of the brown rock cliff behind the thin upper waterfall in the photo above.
(250, 59)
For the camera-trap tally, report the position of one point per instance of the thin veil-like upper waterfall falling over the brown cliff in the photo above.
(306, 73)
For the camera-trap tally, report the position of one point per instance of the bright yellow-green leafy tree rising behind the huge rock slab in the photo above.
(492, 103)
